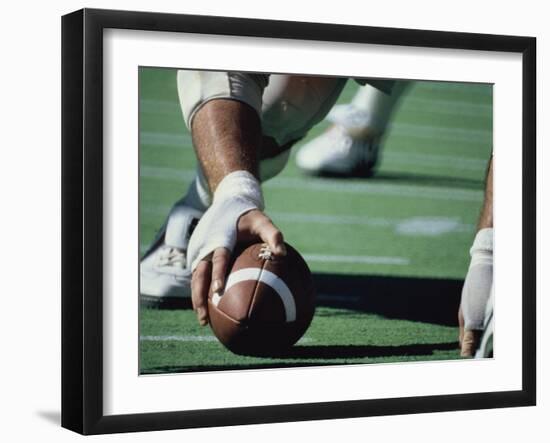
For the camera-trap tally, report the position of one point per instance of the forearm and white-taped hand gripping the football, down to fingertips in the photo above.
(226, 136)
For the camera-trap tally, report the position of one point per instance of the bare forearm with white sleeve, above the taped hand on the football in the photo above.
(221, 109)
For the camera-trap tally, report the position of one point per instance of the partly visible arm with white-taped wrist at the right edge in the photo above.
(476, 301)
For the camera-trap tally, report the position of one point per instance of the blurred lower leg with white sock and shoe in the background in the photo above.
(350, 147)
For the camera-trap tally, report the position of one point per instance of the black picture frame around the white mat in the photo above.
(82, 220)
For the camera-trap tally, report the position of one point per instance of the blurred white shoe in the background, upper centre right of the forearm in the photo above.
(336, 152)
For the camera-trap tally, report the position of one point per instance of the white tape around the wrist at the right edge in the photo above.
(479, 280)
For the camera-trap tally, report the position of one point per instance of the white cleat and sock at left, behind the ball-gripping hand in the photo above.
(165, 279)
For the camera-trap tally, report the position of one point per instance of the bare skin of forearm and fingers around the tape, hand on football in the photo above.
(227, 137)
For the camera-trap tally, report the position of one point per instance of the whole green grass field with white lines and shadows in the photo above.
(388, 253)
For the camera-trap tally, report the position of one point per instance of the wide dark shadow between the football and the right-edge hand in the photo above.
(426, 300)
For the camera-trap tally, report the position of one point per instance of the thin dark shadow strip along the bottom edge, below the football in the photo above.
(318, 355)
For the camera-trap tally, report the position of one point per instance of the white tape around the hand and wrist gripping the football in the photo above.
(238, 193)
